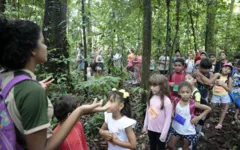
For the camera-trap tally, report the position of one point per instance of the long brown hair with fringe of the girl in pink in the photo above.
(162, 82)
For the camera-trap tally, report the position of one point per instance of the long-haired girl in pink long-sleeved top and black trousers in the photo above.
(158, 113)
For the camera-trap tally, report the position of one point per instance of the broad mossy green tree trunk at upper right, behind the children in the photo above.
(210, 29)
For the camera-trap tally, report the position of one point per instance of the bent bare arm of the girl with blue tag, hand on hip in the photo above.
(206, 109)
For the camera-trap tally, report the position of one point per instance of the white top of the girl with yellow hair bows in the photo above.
(118, 128)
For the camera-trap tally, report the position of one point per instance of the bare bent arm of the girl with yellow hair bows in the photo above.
(131, 144)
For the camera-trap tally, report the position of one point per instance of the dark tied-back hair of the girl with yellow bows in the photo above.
(118, 96)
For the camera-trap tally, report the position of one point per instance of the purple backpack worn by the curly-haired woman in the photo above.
(7, 128)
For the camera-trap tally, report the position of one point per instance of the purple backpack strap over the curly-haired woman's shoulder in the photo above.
(11, 84)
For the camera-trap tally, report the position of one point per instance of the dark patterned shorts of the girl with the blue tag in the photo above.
(191, 138)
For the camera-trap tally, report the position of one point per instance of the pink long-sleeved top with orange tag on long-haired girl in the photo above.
(161, 123)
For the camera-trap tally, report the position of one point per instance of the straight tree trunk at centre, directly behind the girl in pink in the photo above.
(147, 39)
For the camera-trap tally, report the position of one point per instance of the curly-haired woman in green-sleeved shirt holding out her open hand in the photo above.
(21, 49)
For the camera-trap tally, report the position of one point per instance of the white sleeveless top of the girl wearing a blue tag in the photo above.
(188, 128)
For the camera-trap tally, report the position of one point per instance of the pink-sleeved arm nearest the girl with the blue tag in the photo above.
(168, 111)
